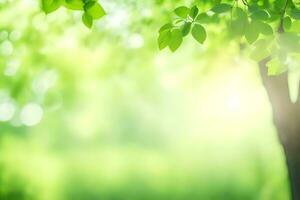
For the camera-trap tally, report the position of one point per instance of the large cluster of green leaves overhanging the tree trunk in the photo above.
(255, 24)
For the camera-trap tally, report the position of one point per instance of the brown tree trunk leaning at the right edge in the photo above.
(286, 116)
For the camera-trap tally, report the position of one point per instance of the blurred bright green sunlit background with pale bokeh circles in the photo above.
(102, 114)
